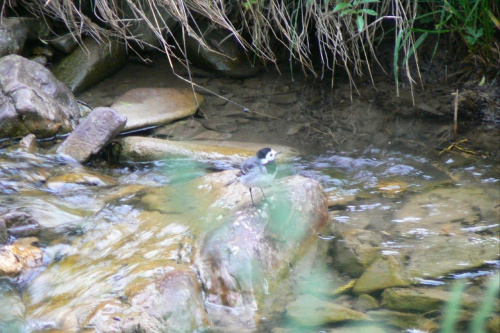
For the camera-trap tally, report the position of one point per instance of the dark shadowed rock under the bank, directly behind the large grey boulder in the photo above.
(90, 64)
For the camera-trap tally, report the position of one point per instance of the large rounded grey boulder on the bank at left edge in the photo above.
(33, 101)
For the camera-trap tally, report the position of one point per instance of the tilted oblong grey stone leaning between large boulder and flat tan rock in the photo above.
(92, 134)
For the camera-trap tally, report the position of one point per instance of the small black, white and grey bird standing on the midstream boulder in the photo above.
(258, 171)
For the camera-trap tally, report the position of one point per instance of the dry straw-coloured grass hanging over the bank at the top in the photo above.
(306, 28)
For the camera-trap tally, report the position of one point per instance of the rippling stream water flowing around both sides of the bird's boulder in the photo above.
(110, 229)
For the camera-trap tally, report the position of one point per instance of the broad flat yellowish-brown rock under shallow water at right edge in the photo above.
(444, 231)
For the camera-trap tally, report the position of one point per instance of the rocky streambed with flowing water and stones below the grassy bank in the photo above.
(122, 226)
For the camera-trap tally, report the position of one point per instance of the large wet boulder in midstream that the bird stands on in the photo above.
(255, 246)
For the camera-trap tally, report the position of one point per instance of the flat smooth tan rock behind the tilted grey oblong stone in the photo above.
(146, 107)
